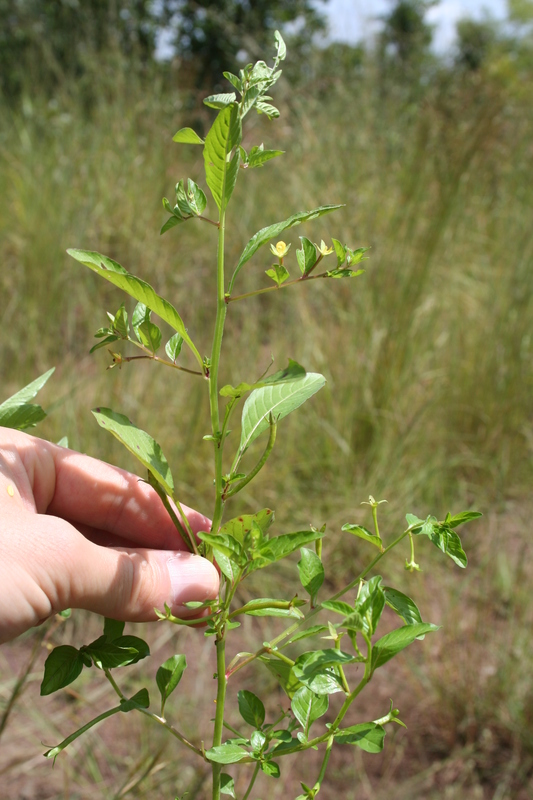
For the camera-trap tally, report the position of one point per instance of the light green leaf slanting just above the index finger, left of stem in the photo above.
(138, 442)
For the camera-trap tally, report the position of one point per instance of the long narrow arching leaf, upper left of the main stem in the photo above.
(136, 288)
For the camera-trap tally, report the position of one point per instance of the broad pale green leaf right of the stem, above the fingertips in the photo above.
(277, 400)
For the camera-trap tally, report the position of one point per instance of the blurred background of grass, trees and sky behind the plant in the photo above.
(417, 115)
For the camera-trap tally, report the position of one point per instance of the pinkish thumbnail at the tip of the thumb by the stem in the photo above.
(191, 578)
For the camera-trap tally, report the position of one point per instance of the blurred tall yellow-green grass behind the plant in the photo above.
(428, 355)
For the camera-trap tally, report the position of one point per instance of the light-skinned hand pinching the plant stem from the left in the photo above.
(78, 533)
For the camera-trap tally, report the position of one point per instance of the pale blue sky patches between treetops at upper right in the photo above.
(353, 20)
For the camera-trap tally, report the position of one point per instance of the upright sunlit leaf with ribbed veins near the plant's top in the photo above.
(224, 135)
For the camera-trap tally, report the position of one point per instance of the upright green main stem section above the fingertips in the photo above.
(213, 374)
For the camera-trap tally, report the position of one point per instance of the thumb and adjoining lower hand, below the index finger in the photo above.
(49, 566)
